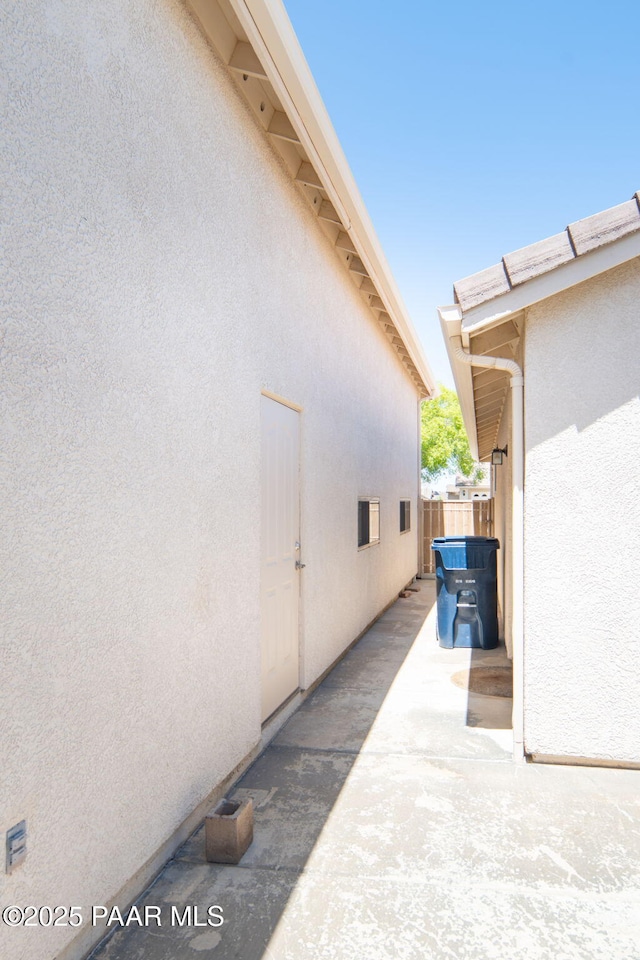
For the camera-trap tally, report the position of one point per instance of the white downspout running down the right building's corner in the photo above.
(517, 534)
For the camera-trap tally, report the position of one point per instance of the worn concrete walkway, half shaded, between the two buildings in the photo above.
(392, 824)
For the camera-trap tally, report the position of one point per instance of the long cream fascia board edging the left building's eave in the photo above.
(271, 34)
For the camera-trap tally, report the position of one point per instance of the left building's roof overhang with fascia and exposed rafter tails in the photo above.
(256, 41)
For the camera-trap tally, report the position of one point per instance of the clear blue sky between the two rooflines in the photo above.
(475, 128)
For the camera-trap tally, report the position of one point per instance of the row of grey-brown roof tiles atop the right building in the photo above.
(579, 238)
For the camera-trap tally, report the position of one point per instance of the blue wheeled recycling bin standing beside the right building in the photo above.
(466, 579)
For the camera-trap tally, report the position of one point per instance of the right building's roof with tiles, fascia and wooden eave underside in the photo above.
(489, 312)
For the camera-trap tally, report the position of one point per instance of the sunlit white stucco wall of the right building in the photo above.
(582, 492)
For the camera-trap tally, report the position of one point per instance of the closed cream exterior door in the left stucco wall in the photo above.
(280, 546)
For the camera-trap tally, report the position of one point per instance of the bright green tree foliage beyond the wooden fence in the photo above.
(445, 447)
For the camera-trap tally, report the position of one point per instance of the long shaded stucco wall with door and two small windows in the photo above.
(161, 271)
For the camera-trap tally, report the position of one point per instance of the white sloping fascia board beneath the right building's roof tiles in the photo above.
(549, 284)
